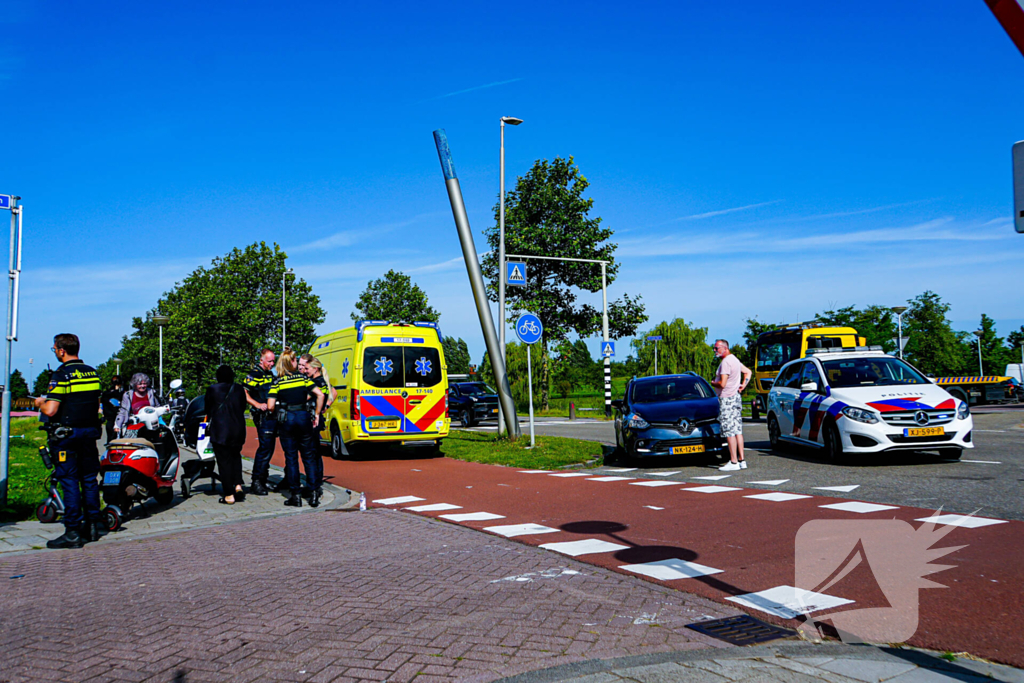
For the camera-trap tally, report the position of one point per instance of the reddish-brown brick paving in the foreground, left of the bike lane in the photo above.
(333, 596)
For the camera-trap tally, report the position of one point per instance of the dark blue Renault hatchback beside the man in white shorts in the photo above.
(669, 415)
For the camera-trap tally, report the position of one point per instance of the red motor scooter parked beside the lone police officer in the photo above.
(141, 465)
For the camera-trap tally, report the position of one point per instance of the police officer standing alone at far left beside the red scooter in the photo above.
(72, 404)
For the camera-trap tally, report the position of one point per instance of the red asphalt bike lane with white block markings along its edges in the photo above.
(751, 541)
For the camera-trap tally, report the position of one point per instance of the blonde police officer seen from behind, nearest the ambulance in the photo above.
(288, 400)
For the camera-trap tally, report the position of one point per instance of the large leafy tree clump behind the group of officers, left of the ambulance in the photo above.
(224, 314)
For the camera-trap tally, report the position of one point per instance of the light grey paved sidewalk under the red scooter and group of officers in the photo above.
(200, 510)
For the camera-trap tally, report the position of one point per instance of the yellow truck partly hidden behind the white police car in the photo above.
(788, 343)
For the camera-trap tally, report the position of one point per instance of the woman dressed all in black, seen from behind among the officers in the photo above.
(226, 406)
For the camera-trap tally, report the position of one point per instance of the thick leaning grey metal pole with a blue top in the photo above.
(477, 282)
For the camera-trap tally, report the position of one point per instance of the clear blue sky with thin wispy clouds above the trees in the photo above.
(754, 160)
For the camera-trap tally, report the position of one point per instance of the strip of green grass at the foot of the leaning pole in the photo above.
(551, 452)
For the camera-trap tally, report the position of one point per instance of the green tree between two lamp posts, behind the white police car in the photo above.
(933, 347)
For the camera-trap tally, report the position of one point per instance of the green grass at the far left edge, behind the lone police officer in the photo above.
(26, 473)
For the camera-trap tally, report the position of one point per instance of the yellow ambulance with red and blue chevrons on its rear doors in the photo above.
(393, 387)
